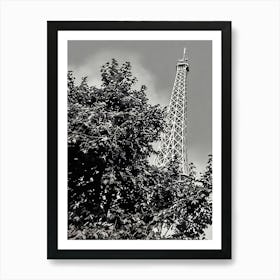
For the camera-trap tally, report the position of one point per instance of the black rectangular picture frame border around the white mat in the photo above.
(52, 87)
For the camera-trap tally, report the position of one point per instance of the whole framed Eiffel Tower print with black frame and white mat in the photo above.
(139, 140)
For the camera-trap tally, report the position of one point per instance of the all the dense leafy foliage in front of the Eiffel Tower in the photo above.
(113, 190)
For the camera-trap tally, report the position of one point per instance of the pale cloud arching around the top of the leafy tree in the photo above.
(92, 67)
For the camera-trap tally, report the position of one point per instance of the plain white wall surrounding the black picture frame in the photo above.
(255, 140)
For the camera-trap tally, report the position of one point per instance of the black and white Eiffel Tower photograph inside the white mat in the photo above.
(139, 140)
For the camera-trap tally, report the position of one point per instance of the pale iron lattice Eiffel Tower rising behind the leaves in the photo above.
(174, 139)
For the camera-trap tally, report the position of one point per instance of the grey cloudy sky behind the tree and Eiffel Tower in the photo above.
(154, 65)
